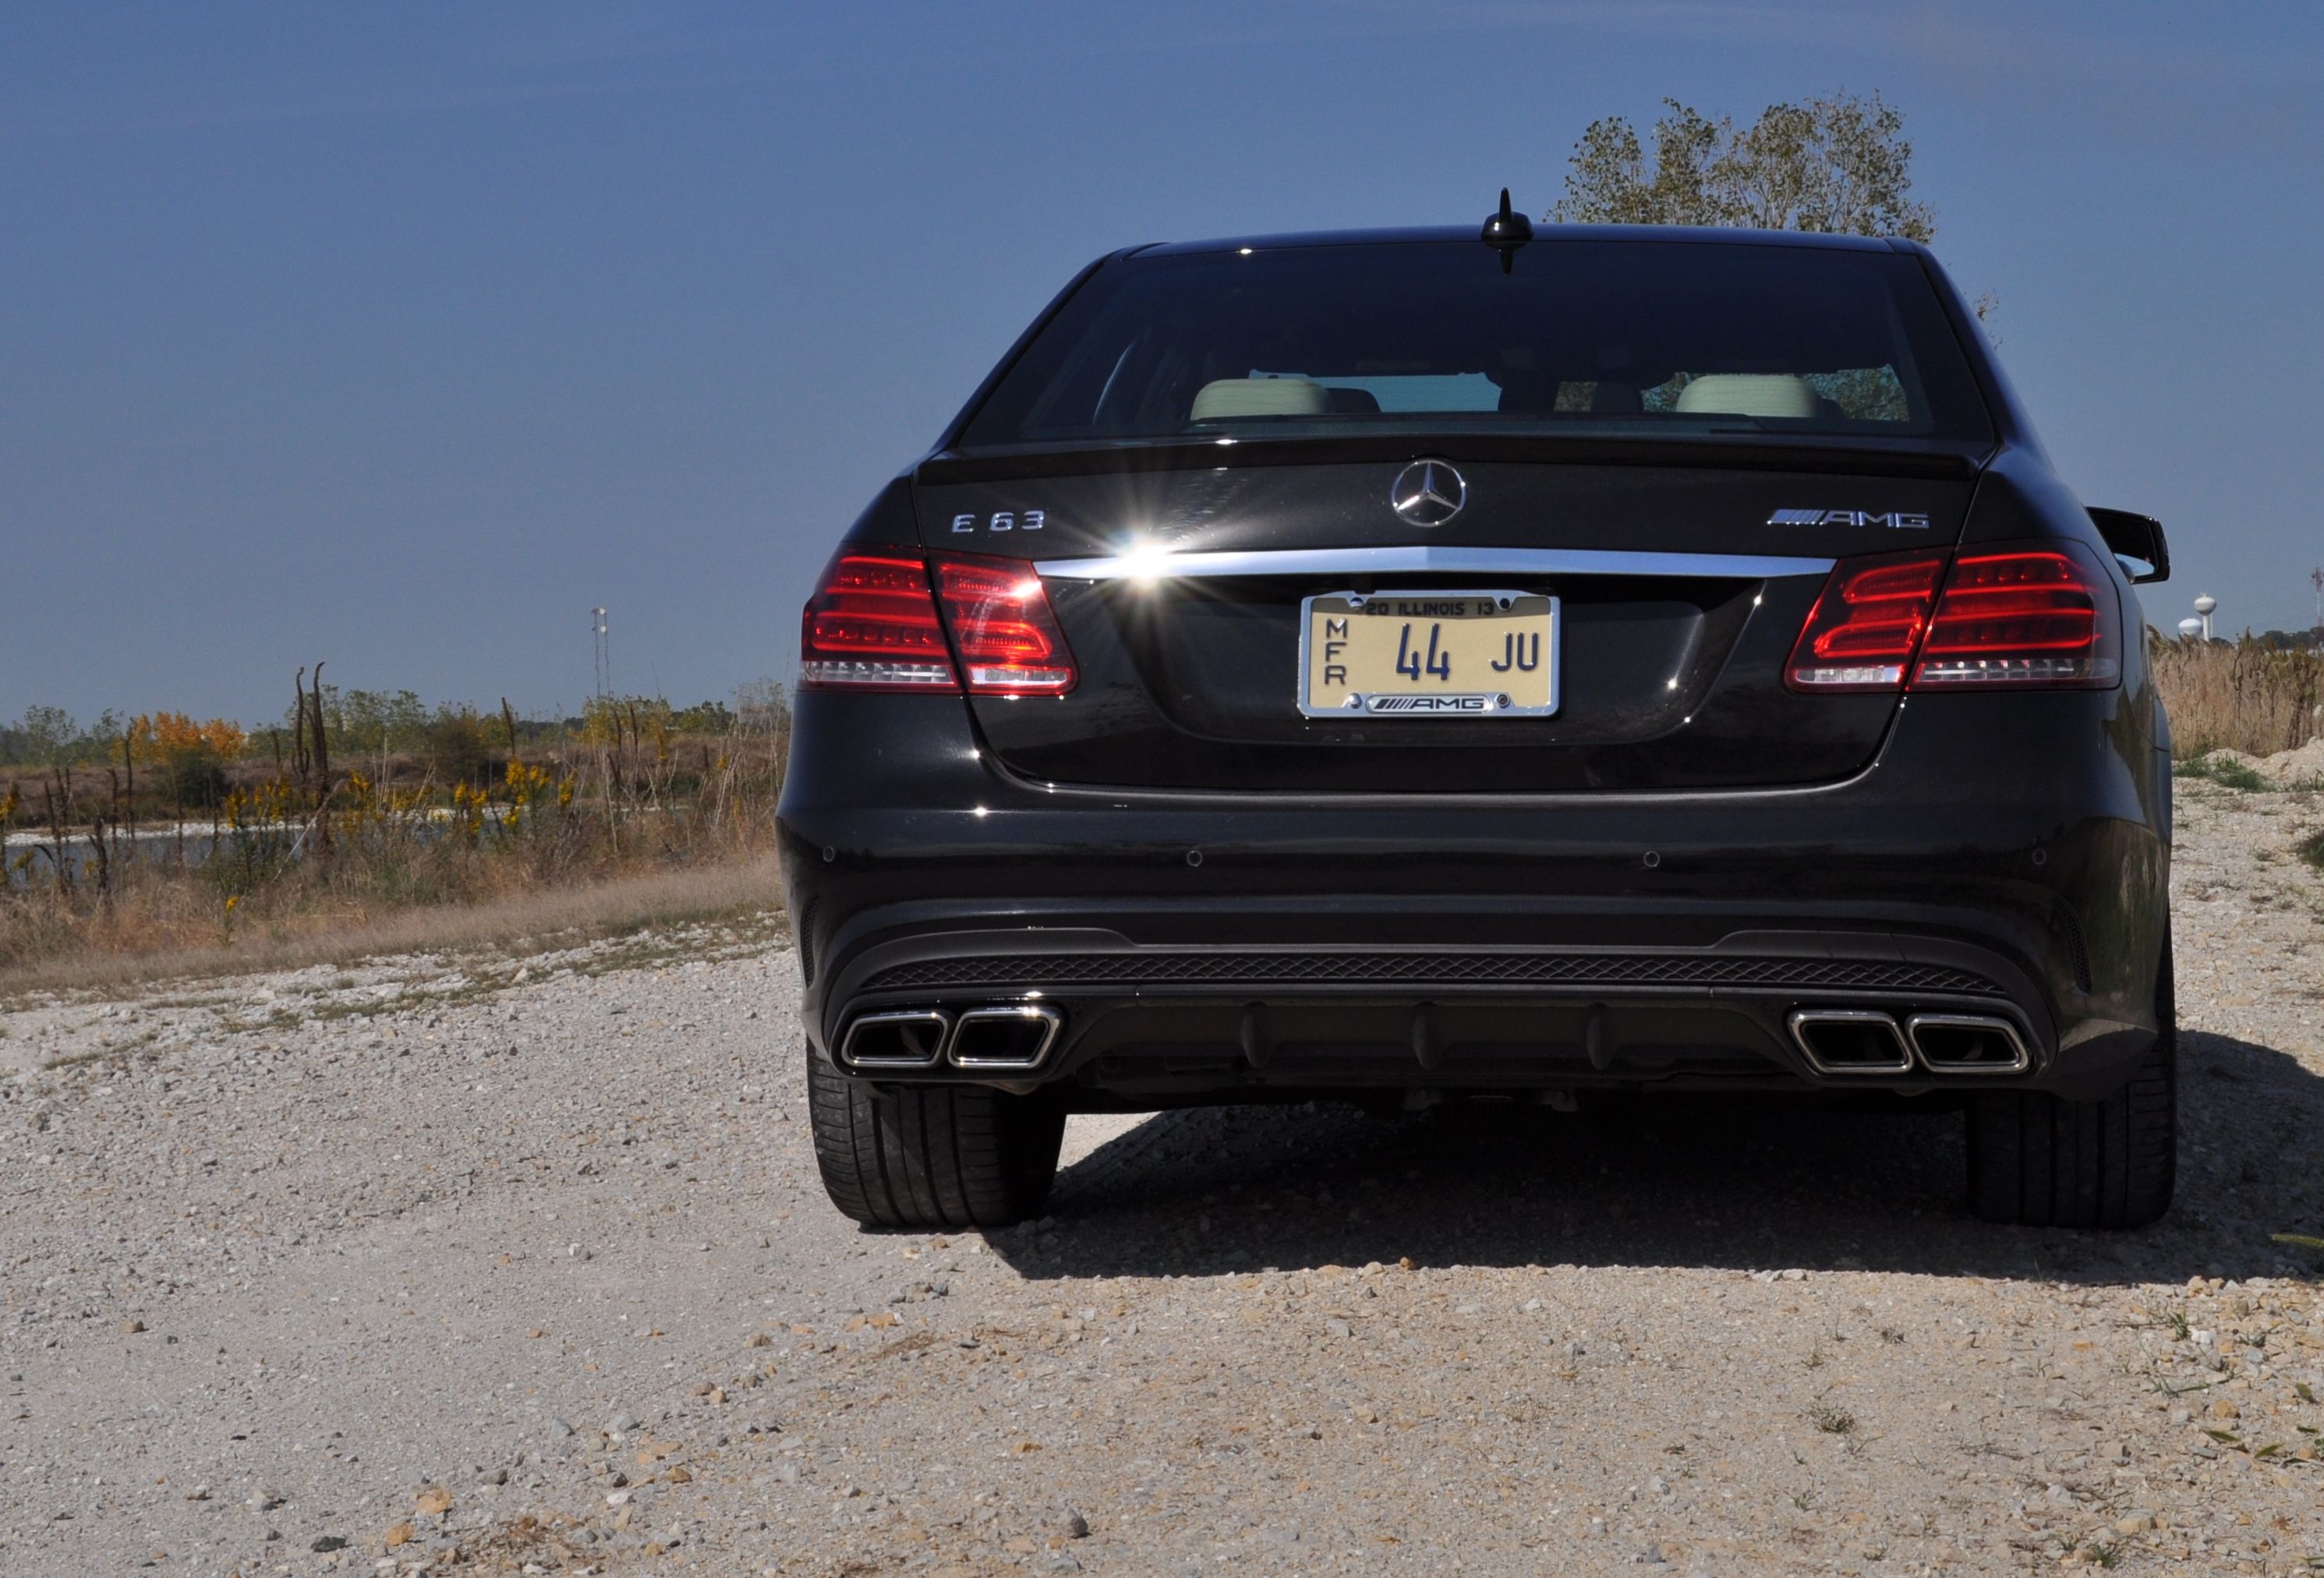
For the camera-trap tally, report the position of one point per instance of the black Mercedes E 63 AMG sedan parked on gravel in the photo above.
(1435, 666)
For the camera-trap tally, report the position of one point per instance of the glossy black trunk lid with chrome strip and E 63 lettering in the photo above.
(1679, 587)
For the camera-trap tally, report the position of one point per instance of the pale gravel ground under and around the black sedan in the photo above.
(452, 1265)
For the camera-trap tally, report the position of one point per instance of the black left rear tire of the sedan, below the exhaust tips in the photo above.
(931, 1156)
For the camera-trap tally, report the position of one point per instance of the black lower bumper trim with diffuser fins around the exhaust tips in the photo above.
(1184, 1019)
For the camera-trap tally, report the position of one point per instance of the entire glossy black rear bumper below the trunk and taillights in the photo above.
(1224, 947)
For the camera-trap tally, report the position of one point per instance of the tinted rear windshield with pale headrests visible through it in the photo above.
(1605, 338)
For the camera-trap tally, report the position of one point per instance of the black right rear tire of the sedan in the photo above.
(2049, 1163)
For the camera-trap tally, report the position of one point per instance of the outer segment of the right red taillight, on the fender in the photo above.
(2025, 617)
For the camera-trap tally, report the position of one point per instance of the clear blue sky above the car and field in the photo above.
(401, 336)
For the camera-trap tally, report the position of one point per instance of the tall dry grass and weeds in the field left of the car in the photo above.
(615, 831)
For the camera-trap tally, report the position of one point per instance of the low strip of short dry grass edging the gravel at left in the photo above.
(517, 924)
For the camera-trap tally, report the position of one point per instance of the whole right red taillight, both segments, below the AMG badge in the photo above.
(2021, 617)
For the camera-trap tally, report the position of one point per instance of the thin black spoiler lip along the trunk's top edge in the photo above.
(1935, 461)
